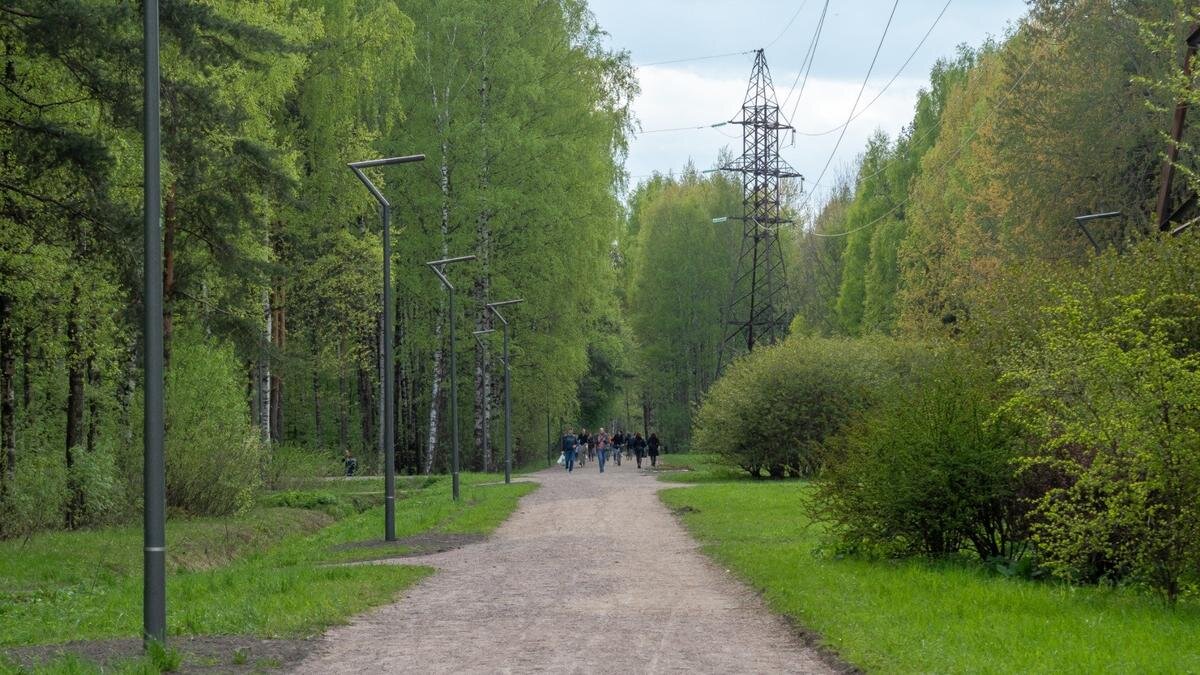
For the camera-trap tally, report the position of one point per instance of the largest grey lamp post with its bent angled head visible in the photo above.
(389, 373)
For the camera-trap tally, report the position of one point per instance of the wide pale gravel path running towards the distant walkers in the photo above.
(591, 575)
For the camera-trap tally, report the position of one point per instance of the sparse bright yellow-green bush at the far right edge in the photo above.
(1109, 396)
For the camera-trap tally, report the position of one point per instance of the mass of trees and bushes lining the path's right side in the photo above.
(1051, 420)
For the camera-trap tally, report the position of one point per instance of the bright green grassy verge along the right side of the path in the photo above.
(931, 618)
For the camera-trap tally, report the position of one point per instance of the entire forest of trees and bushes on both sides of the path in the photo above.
(968, 367)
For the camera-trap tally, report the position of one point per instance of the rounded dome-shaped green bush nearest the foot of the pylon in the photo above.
(776, 409)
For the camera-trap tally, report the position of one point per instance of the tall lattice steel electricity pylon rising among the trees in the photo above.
(753, 313)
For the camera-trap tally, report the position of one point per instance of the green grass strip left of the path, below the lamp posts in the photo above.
(266, 575)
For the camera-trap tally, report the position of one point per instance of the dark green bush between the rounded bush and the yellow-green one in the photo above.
(928, 471)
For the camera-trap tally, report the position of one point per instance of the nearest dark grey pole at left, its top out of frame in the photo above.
(154, 482)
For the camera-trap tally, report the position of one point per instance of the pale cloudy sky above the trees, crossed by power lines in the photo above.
(700, 93)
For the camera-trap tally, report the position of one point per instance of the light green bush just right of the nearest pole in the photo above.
(214, 456)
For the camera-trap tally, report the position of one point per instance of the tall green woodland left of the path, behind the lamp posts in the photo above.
(273, 258)
